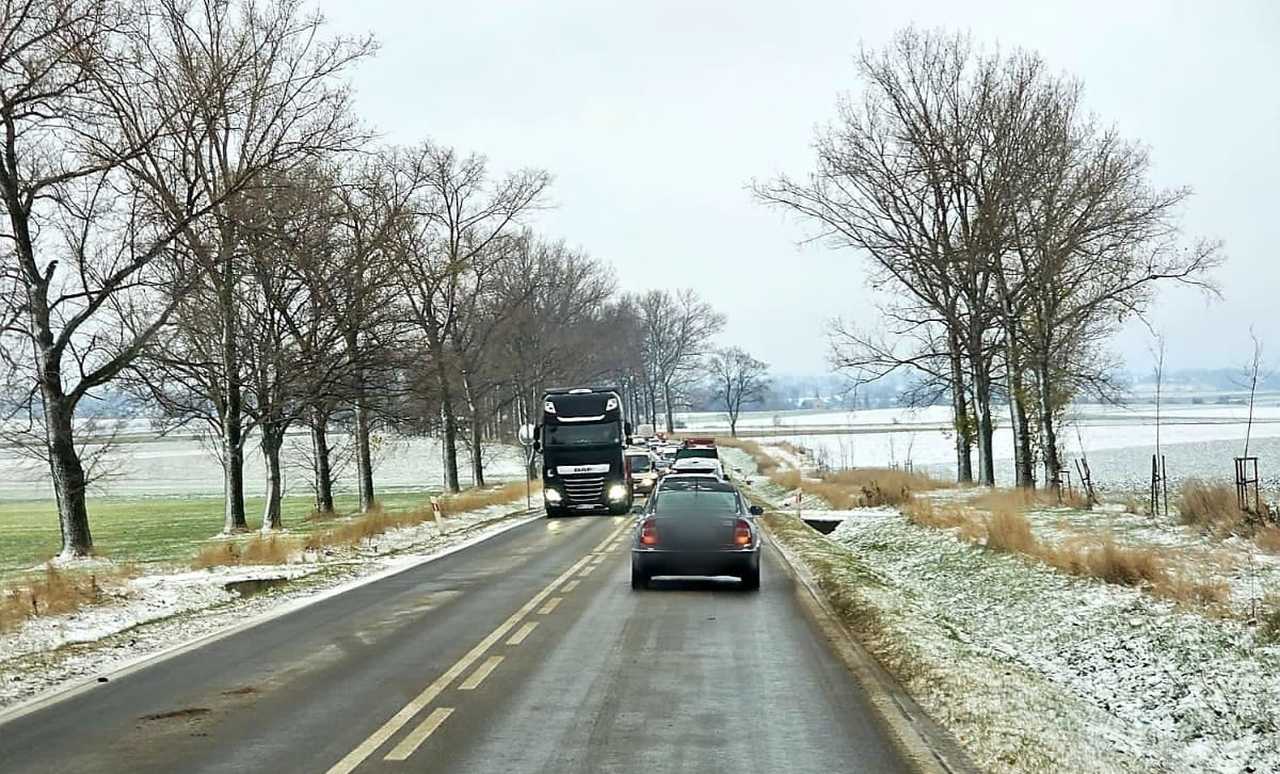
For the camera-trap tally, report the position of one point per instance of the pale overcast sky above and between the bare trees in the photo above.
(656, 116)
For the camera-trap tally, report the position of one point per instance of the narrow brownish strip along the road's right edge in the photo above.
(930, 746)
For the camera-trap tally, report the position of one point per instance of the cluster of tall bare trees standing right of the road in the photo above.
(1009, 232)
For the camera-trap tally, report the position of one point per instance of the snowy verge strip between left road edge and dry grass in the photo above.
(162, 611)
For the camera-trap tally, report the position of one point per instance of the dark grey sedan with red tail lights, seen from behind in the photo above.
(697, 526)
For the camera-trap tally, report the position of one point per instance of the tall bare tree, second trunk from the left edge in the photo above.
(244, 89)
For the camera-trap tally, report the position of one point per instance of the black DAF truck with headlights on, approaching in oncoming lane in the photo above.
(582, 439)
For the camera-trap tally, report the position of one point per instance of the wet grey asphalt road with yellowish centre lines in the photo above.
(525, 653)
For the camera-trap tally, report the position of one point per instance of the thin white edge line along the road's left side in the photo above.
(66, 693)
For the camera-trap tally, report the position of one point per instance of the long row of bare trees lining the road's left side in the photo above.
(194, 214)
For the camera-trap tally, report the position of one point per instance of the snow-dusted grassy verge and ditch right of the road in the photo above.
(1035, 671)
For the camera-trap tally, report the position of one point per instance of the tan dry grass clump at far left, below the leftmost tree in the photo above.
(58, 592)
